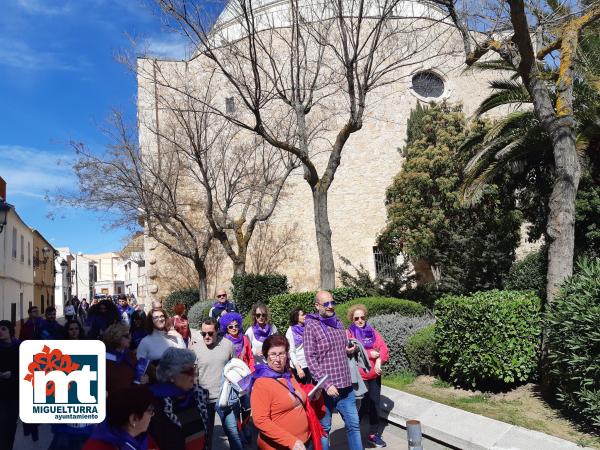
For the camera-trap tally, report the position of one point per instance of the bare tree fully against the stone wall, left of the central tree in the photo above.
(240, 175)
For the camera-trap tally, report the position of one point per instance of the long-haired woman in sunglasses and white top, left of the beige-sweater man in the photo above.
(160, 336)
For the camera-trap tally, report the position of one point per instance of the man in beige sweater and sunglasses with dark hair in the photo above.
(213, 352)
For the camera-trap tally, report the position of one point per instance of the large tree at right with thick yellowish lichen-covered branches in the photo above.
(534, 37)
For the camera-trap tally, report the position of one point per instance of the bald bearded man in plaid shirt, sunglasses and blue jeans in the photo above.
(326, 350)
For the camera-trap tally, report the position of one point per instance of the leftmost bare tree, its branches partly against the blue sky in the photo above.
(132, 187)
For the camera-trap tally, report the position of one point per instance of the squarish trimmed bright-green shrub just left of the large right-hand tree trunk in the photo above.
(488, 339)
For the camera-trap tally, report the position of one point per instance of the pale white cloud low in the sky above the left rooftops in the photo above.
(32, 172)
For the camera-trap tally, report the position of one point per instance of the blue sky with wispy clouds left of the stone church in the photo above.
(58, 81)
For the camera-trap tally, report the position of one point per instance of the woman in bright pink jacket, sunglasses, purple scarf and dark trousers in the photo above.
(378, 354)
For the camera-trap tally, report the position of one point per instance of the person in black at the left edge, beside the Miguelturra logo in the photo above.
(9, 384)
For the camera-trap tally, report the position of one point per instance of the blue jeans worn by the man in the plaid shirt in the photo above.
(346, 406)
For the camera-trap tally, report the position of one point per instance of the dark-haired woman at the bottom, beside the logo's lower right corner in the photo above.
(128, 414)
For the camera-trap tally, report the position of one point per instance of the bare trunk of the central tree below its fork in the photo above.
(323, 232)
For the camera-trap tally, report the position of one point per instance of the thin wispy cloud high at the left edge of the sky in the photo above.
(19, 54)
